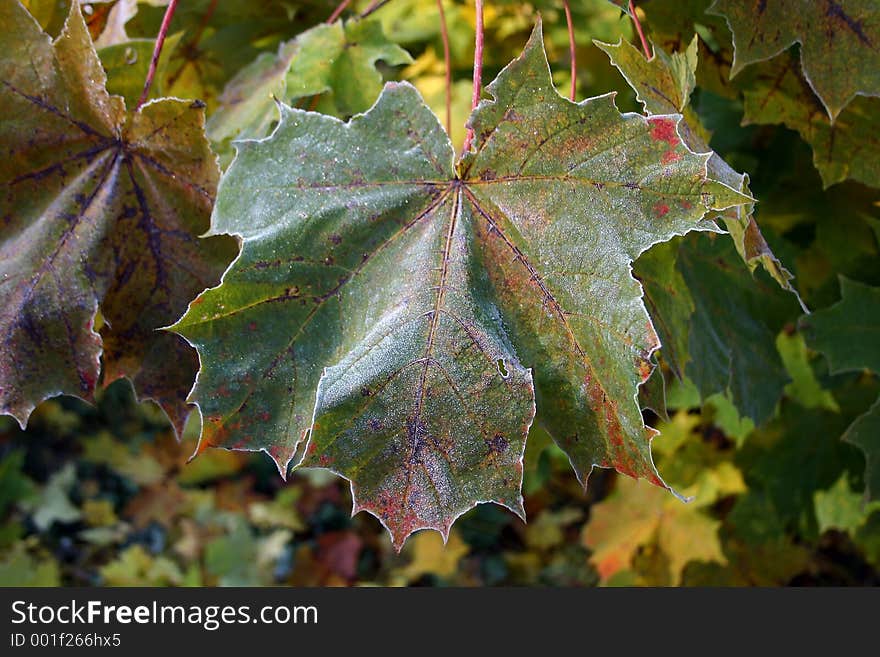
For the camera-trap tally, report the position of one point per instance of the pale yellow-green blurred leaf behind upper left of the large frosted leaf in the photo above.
(326, 58)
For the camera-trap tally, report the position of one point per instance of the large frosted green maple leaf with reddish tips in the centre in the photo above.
(405, 313)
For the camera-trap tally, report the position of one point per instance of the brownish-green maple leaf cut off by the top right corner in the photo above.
(838, 38)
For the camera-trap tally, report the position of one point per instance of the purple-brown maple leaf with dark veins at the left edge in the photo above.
(100, 211)
